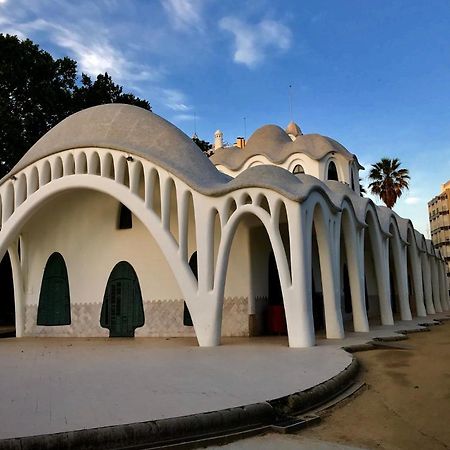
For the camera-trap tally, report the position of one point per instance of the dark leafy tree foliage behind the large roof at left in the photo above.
(37, 92)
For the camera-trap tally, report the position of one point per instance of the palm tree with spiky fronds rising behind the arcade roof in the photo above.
(388, 180)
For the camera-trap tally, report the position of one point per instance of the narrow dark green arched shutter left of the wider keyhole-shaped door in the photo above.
(54, 298)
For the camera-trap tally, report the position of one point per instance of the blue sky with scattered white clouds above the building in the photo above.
(374, 75)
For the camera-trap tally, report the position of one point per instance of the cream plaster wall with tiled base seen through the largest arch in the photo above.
(91, 249)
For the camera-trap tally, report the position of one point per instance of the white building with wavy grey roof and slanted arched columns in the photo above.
(116, 224)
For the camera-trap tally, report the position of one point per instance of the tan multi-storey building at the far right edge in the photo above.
(438, 212)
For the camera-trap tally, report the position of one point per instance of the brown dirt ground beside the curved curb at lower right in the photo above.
(407, 401)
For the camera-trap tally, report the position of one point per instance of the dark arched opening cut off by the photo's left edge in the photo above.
(7, 309)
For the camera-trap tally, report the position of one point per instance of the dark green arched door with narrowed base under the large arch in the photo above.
(122, 309)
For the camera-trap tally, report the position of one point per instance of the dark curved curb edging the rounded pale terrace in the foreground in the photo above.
(183, 432)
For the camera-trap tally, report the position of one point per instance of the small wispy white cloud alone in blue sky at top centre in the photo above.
(254, 41)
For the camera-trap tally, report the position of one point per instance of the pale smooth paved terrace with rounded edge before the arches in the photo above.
(50, 385)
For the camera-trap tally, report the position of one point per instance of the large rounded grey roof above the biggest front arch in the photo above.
(131, 129)
